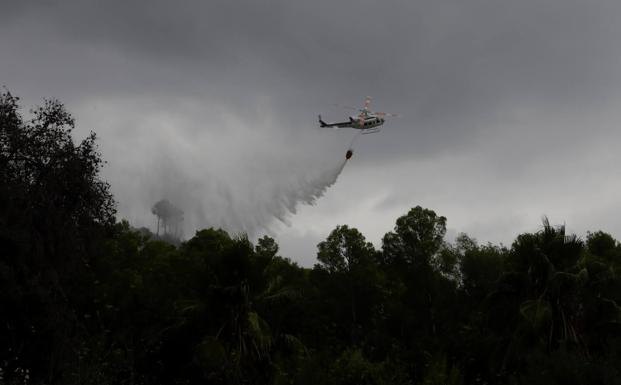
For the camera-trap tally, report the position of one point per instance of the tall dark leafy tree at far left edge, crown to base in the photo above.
(54, 208)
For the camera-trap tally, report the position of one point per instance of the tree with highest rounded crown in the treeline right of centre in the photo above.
(417, 309)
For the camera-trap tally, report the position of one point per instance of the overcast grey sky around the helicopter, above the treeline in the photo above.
(509, 109)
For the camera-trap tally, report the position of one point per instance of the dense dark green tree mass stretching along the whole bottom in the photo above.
(86, 300)
